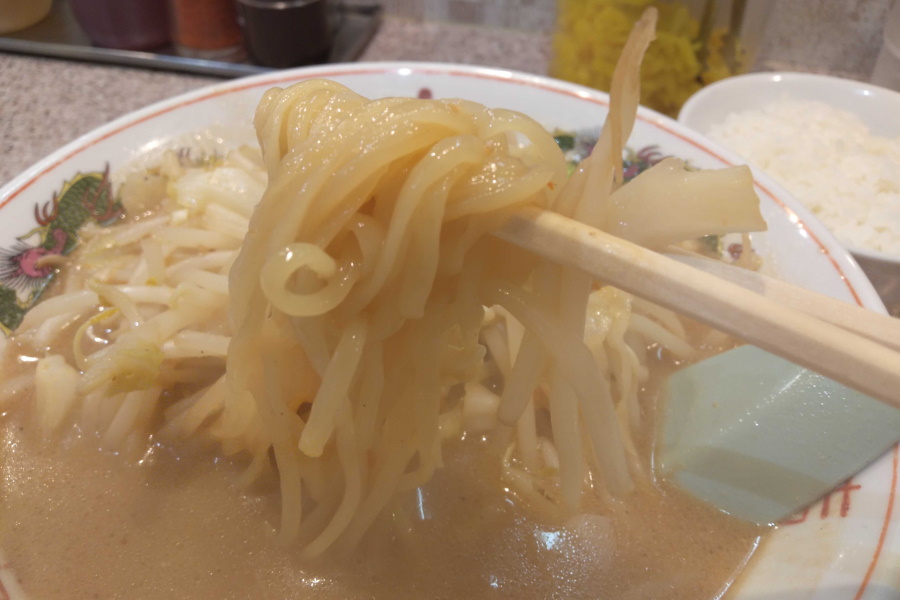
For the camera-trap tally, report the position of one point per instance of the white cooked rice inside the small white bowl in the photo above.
(830, 161)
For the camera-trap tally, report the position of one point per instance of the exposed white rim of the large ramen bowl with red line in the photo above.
(845, 546)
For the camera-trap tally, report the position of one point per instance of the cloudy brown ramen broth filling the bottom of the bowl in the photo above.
(82, 523)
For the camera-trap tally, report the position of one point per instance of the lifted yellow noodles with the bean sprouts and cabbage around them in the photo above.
(340, 323)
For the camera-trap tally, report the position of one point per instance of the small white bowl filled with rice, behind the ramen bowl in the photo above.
(832, 143)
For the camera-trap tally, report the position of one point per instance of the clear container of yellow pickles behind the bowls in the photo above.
(697, 42)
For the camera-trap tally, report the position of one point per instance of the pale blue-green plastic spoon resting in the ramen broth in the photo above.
(760, 438)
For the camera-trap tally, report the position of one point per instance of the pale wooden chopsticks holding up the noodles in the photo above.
(807, 337)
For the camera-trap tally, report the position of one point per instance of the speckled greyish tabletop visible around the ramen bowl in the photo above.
(46, 103)
